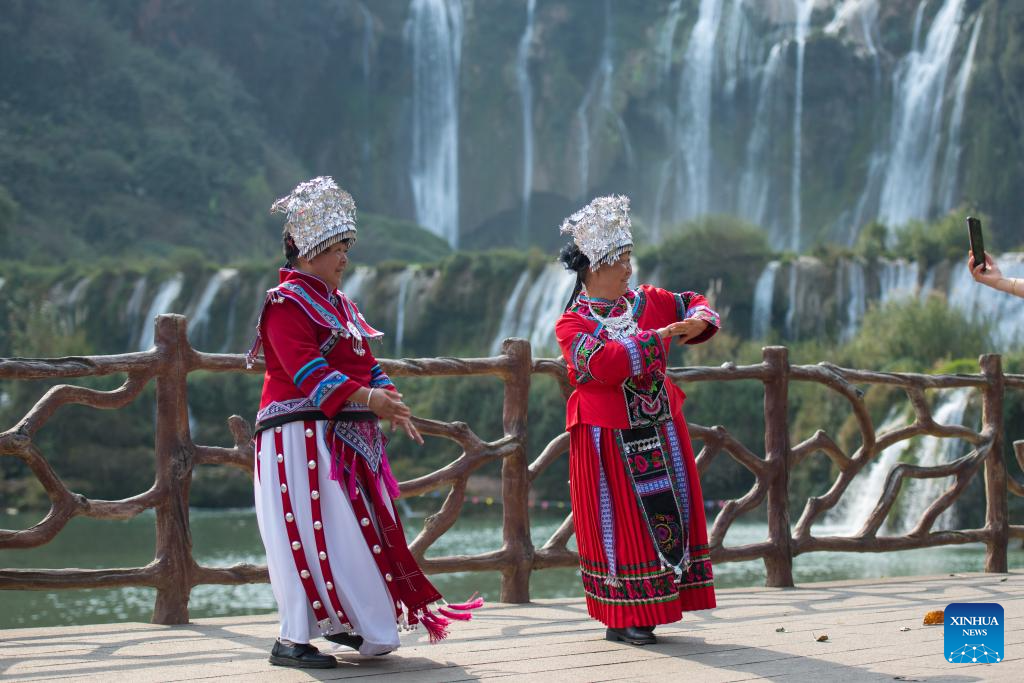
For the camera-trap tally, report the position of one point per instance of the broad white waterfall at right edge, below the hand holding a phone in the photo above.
(1002, 313)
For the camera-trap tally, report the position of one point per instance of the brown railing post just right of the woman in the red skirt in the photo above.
(779, 563)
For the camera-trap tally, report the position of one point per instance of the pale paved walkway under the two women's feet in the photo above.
(554, 642)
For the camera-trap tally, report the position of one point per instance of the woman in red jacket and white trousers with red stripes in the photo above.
(335, 548)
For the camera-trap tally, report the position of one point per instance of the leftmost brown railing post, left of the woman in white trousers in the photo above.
(175, 466)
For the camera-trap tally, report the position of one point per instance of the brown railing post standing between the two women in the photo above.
(516, 475)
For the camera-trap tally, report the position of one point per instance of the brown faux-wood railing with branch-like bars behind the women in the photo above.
(175, 572)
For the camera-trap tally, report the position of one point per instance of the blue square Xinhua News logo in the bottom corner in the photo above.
(974, 633)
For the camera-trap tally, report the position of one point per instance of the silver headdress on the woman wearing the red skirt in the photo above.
(602, 230)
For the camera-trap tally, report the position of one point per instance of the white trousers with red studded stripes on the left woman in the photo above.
(358, 582)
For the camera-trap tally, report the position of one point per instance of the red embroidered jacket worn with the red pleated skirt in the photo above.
(622, 385)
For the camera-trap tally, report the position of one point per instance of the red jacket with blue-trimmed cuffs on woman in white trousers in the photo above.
(315, 344)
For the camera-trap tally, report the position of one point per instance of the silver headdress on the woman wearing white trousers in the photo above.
(320, 215)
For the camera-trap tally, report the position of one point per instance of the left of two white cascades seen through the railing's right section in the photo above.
(863, 495)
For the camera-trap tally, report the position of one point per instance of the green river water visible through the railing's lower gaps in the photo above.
(223, 538)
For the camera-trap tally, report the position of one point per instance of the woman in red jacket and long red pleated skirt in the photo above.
(637, 504)
